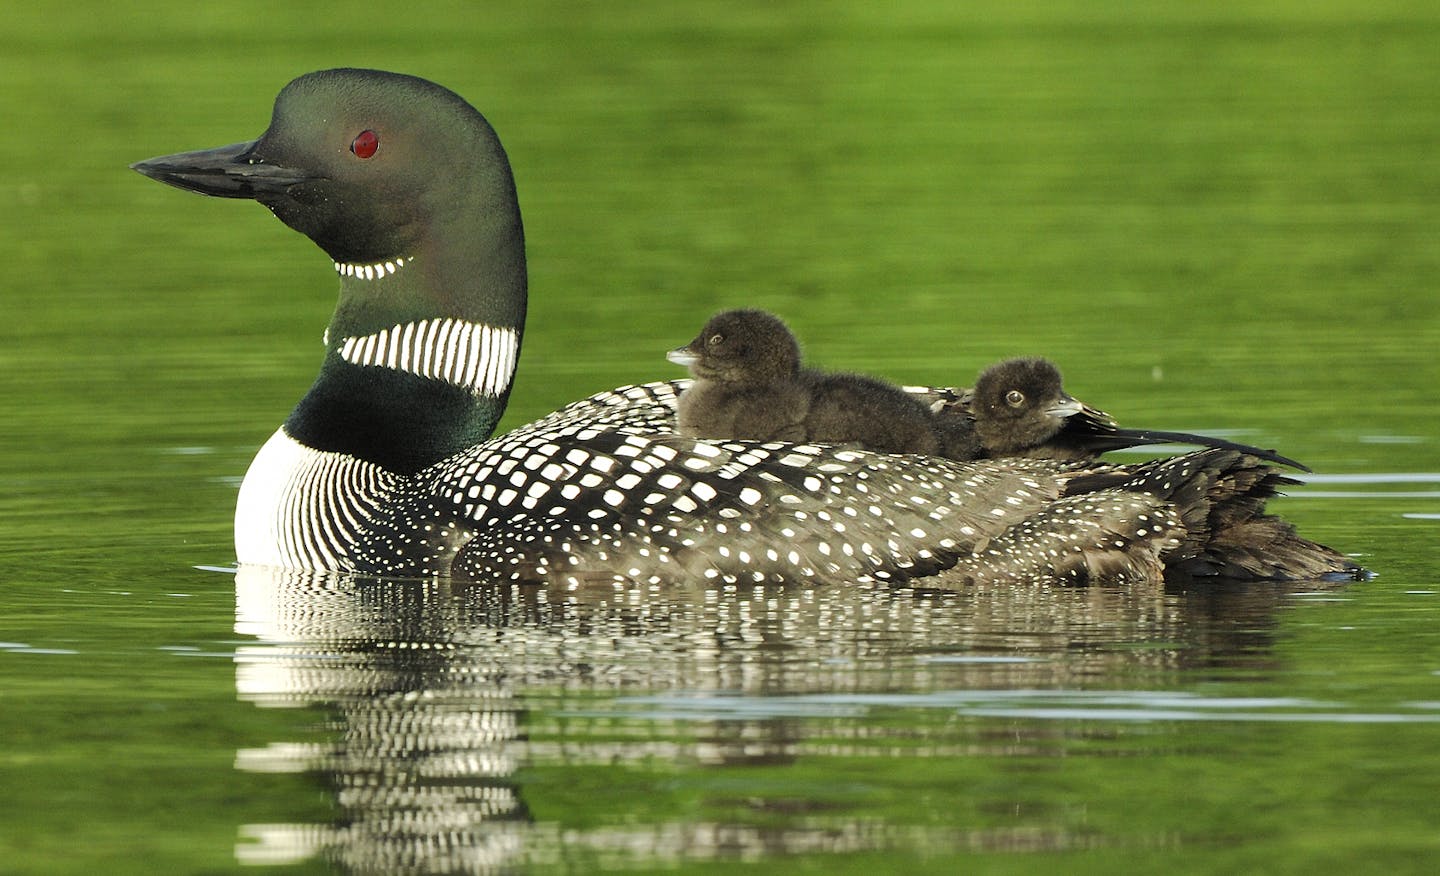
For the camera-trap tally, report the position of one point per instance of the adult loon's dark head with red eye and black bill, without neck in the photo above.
(372, 166)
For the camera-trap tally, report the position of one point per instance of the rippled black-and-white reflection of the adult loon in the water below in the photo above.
(440, 692)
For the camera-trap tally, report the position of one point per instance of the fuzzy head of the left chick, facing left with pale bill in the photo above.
(742, 347)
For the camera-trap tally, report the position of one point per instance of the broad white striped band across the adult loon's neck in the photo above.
(469, 355)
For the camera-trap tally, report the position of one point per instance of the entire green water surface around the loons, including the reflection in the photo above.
(1215, 220)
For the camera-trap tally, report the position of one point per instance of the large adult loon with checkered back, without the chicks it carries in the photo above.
(388, 466)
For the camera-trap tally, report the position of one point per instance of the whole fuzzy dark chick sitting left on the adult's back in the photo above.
(750, 384)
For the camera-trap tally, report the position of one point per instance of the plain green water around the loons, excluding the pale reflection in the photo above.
(1219, 217)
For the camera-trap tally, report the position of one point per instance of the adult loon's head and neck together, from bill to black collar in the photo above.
(410, 192)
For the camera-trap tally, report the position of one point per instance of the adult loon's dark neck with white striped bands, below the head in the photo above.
(420, 357)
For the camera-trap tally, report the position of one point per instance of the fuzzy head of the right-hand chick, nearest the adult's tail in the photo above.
(1020, 404)
